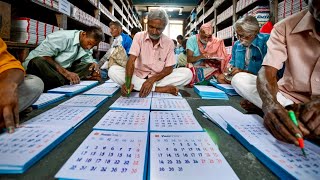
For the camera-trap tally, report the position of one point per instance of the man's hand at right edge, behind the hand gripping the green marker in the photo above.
(310, 116)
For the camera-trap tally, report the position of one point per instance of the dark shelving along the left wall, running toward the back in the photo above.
(82, 15)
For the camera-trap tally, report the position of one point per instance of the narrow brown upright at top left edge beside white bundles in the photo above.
(5, 20)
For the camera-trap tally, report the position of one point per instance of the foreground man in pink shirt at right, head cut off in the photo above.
(294, 42)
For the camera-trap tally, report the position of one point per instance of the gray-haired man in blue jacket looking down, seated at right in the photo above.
(248, 51)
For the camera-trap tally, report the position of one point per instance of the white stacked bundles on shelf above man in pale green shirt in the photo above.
(30, 31)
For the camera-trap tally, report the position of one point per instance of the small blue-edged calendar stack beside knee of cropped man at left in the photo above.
(46, 99)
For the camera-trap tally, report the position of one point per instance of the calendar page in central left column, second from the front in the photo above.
(124, 120)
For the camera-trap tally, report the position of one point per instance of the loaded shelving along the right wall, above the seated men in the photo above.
(224, 13)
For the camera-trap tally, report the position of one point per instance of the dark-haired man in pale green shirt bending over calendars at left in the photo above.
(65, 57)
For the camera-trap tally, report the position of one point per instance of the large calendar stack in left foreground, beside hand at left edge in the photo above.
(38, 136)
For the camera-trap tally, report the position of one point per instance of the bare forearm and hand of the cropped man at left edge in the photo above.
(9, 106)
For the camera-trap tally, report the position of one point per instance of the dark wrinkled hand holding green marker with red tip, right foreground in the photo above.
(277, 121)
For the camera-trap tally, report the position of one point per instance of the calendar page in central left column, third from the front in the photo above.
(123, 103)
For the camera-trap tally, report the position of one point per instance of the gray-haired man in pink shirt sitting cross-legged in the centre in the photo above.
(151, 61)
